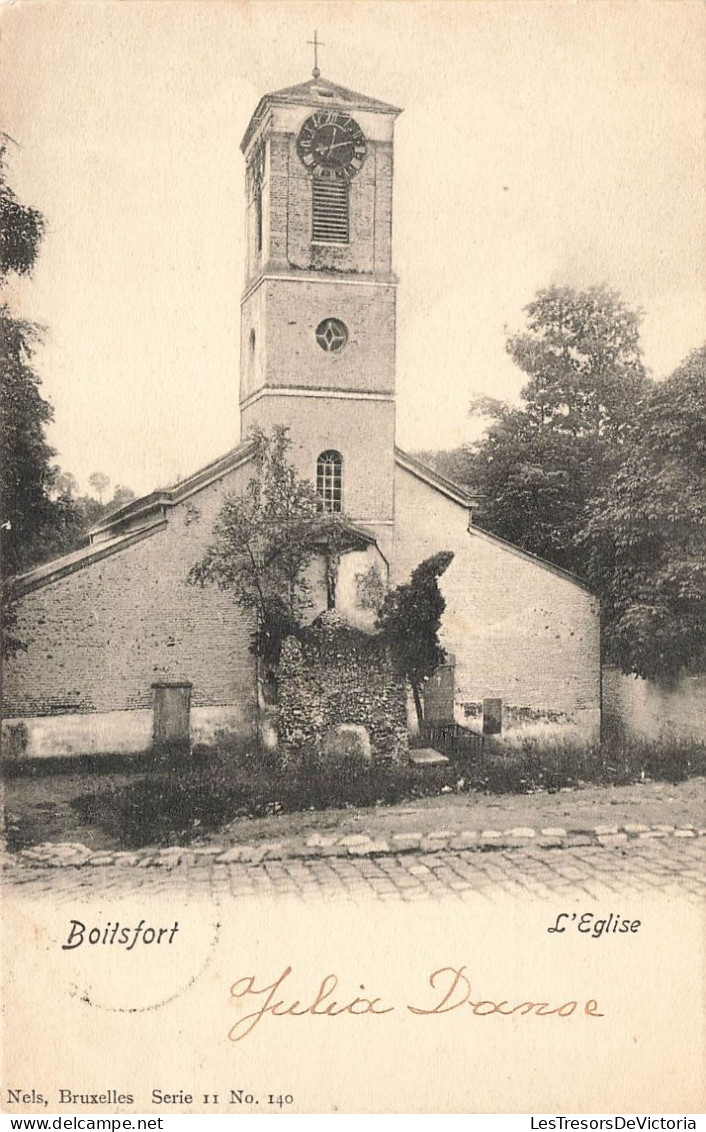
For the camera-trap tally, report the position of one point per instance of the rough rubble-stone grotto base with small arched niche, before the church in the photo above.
(335, 674)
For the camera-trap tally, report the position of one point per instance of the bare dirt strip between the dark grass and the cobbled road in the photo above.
(39, 809)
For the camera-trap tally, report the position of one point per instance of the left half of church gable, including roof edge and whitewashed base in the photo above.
(102, 628)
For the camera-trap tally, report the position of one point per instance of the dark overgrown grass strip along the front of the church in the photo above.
(178, 800)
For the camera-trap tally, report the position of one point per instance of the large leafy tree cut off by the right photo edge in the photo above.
(647, 534)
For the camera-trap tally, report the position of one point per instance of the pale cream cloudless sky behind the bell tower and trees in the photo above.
(541, 143)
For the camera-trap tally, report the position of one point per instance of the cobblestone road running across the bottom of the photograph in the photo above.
(670, 868)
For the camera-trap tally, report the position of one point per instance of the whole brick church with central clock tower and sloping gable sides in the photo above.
(115, 628)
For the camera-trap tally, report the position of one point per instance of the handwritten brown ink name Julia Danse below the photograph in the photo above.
(451, 987)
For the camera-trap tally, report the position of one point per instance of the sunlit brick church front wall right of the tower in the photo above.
(519, 631)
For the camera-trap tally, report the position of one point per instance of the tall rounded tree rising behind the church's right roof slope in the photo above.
(540, 467)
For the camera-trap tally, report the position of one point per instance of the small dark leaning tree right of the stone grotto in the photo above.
(410, 622)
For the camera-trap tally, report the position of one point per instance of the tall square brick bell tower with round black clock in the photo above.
(318, 306)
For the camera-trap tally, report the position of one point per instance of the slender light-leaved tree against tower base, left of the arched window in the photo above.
(265, 538)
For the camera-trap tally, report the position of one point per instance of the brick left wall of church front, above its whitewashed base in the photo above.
(99, 638)
